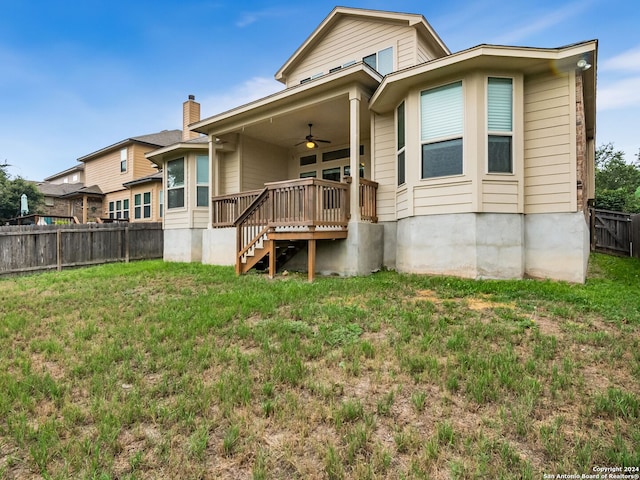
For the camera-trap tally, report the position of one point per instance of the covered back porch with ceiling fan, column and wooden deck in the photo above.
(273, 179)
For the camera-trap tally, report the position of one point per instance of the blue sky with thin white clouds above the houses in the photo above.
(79, 75)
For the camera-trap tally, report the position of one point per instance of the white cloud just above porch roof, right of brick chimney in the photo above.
(250, 90)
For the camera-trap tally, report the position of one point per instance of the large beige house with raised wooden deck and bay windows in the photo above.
(477, 163)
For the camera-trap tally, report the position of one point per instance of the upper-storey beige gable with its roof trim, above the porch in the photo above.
(347, 36)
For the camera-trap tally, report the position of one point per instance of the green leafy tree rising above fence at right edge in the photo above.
(616, 180)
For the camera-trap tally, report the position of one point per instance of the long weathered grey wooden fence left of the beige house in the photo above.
(36, 248)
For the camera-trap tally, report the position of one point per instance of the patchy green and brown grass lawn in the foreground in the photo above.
(154, 370)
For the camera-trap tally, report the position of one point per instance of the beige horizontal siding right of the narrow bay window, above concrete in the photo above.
(548, 145)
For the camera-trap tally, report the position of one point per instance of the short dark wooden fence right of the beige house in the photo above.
(615, 232)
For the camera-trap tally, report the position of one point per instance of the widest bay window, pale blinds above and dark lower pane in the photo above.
(442, 121)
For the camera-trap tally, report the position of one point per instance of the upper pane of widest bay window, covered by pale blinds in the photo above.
(442, 112)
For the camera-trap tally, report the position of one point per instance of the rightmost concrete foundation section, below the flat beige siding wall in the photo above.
(557, 246)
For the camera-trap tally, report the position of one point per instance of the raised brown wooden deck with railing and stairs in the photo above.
(304, 209)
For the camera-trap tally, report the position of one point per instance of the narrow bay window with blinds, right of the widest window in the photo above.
(500, 125)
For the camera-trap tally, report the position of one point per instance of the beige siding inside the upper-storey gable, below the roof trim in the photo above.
(351, 40)
